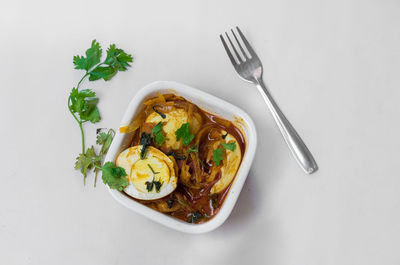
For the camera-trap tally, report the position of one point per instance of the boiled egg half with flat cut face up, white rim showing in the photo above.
(150, 178)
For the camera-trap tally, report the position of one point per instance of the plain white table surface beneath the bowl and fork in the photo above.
(333, 66)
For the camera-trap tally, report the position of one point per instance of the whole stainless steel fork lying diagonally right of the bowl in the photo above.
(249, 69)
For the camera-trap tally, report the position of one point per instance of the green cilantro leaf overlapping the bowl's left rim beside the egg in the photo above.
(114, 176)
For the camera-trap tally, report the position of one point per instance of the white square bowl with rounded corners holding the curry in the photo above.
(211, 104)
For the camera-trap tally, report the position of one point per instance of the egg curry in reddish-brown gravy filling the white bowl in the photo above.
(182, 159)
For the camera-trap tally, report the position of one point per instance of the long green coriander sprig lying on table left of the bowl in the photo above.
(82, 104)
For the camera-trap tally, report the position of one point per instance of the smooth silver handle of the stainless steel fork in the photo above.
(296, 145)
